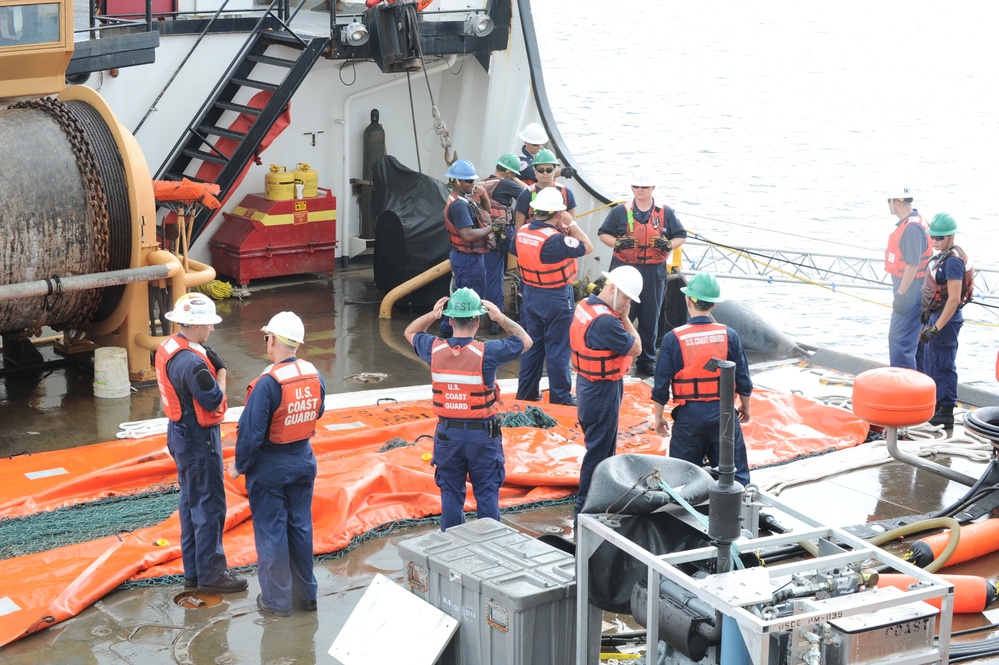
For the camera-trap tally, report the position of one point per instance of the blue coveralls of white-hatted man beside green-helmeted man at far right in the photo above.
(904, 328)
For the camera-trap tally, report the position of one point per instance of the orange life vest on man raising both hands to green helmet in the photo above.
(459, 391)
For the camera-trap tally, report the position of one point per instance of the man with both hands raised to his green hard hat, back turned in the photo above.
(468, 444)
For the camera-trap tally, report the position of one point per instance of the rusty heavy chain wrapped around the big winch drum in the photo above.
(97, 206)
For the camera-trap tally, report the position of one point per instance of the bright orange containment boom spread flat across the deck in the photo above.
(362, 484)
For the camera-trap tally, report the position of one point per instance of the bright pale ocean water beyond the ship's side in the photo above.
(783, 124)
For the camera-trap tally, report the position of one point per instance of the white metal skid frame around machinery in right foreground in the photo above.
(837, 550)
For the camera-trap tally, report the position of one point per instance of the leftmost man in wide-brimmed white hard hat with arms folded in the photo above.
(191, 378)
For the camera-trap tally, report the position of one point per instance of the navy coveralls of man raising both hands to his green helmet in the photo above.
(463, 447)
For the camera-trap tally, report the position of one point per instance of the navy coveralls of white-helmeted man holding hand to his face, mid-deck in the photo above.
(599, 405)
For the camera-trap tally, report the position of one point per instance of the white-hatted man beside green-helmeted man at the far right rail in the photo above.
(906, 257)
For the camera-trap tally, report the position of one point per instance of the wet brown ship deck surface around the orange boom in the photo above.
(54, 408)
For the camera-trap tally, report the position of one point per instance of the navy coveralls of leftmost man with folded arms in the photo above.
(197, 451)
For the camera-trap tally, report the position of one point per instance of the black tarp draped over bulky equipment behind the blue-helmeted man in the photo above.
(410, 238)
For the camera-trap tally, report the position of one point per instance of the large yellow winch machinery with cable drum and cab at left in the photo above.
(77, 209)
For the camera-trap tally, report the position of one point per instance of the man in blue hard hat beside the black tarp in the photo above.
(466, 217)
